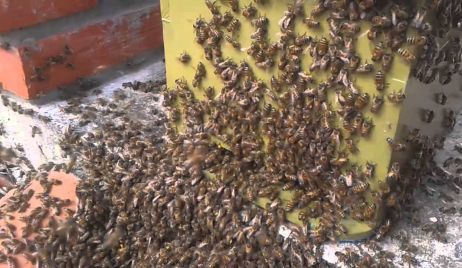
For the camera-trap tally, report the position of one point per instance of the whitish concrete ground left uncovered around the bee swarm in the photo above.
(412, 233)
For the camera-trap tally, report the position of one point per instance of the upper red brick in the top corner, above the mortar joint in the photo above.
(16, 14)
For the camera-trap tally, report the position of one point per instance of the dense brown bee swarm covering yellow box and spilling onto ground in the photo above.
(187, 199)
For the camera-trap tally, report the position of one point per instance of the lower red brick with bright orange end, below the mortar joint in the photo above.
(94, 48)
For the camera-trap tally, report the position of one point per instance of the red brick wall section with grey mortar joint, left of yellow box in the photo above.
(47, 44)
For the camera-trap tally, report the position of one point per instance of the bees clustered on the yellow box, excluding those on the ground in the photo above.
(285, 134)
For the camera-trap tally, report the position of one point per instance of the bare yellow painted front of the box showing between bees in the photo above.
(178, 17)
